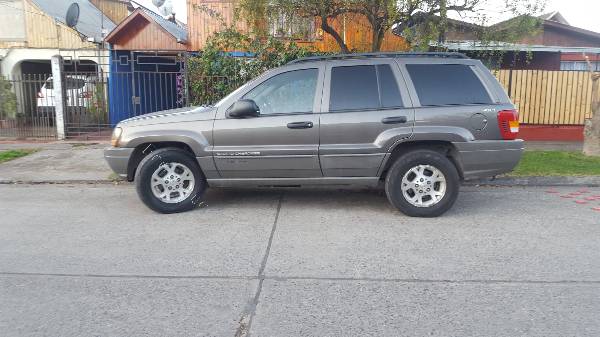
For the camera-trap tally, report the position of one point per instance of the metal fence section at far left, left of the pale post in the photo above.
(27, 107)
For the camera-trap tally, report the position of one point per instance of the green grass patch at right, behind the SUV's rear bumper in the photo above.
(557, 163)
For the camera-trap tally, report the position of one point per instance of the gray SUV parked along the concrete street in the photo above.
(417, 123)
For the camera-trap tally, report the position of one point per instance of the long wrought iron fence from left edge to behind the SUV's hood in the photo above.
(100, 94)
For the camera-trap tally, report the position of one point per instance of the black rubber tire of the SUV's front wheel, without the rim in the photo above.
(151, 163)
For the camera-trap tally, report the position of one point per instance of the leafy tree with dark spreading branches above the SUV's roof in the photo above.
(420, 21)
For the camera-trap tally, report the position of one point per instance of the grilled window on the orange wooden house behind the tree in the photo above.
(293, 27)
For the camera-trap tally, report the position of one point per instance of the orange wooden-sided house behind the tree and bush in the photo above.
(205, 17)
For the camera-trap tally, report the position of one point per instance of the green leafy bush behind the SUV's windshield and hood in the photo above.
(214, 73)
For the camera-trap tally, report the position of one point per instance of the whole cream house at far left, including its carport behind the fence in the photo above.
(31, 33)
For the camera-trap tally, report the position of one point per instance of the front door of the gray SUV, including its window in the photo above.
(283, 141)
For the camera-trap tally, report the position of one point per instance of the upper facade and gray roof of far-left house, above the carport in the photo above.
(32, 31)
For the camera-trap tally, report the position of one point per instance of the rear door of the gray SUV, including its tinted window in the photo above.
(366, 110)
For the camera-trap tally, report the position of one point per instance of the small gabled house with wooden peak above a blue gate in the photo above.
(147, 55)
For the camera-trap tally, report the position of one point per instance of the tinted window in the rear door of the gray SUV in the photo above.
(363, 88)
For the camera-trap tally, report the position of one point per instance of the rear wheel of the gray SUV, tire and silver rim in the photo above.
(422, 183)
